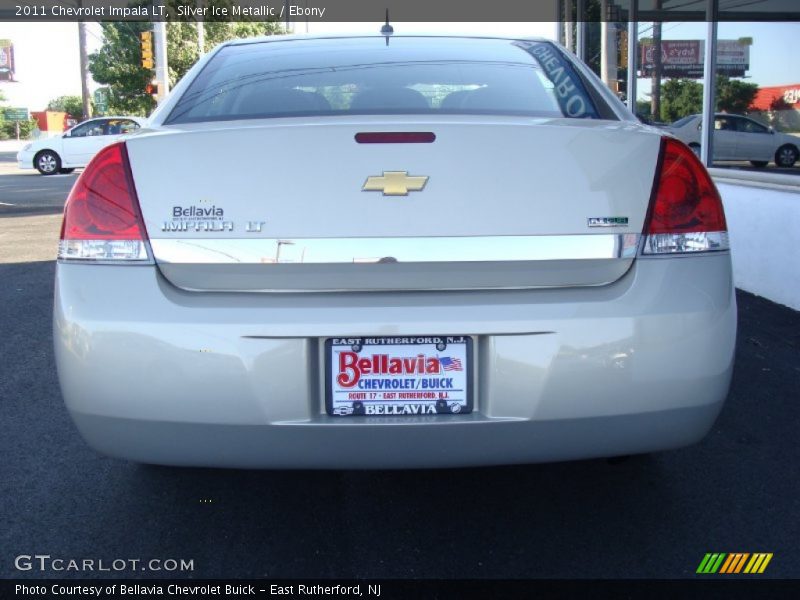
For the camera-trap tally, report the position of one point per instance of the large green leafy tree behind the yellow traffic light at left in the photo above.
(117, 64)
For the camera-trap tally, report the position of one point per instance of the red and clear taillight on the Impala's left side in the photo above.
(102, 220)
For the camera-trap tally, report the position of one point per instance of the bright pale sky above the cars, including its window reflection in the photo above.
(47, 63)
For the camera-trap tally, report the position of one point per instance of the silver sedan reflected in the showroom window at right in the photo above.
(737, 137)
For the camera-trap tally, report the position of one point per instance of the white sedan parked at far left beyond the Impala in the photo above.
(76, 147)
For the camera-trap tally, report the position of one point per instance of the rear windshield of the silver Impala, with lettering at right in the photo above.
(346, 76)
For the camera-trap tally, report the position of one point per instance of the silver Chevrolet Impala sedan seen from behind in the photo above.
(391, 252)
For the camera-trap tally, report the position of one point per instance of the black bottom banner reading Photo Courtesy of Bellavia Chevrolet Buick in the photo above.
(708, 588)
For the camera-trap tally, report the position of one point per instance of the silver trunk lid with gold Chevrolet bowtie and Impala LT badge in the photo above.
(491, 203)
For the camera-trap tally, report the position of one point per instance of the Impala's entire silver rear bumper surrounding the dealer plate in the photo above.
(155, 374)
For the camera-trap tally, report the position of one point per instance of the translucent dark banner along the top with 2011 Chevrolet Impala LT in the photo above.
(374, 10)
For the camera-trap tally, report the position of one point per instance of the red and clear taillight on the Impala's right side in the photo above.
(686, 213)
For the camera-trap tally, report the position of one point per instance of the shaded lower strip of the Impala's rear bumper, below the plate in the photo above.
(472, 440)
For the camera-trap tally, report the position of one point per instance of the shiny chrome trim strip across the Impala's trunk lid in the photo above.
(395, 249)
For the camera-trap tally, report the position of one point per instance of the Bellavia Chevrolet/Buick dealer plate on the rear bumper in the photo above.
(417, 375)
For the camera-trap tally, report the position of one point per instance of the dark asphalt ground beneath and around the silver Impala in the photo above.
(649, 516)
